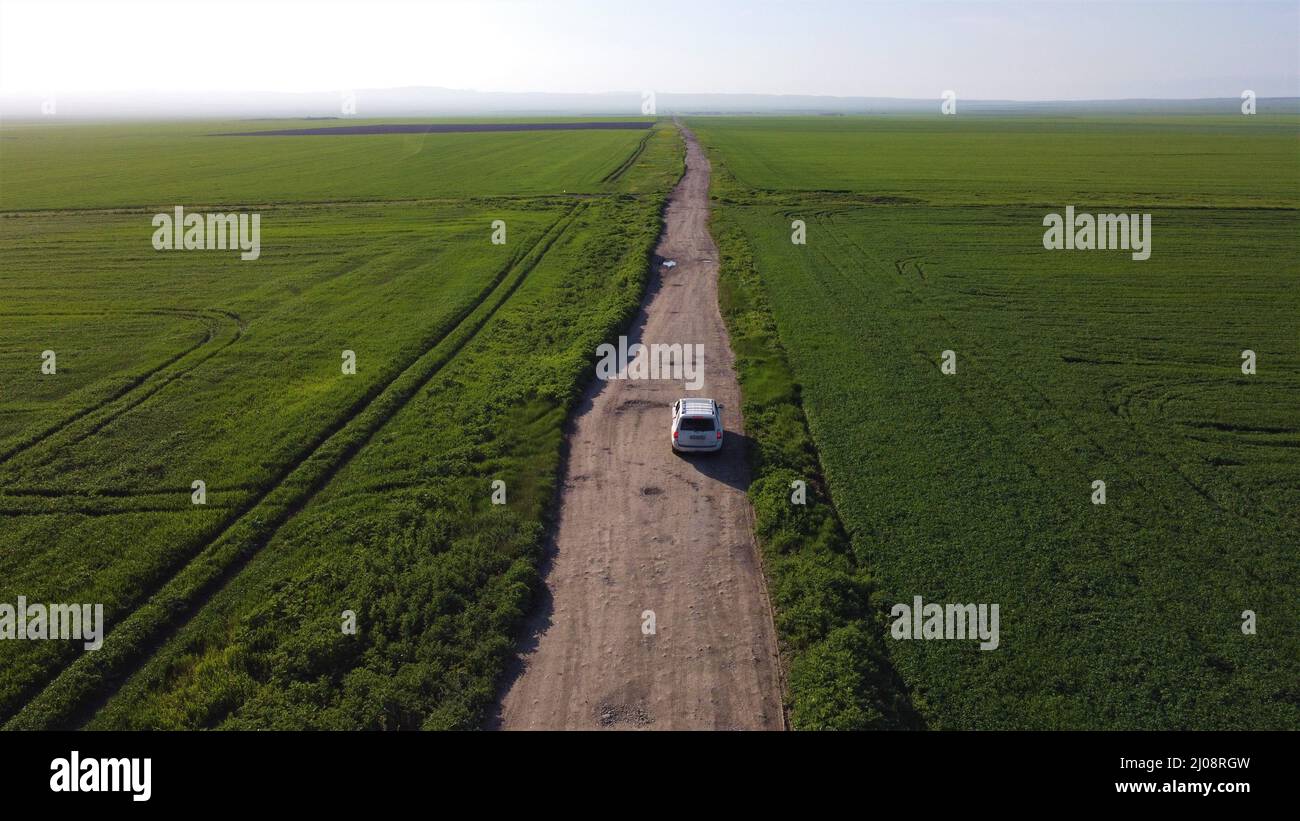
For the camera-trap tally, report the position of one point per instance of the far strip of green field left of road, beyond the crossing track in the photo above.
(123, 166)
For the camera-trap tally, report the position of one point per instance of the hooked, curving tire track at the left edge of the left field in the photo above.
(140, 388)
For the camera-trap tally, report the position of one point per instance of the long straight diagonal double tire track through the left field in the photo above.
(71, 697)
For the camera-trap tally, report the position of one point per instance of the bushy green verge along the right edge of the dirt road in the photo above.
(838, 672)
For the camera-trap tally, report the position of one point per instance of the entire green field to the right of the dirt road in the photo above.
(925, 236)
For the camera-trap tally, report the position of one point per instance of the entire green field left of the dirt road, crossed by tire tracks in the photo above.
(326, 492)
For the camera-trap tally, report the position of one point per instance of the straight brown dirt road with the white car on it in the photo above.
(643, 529)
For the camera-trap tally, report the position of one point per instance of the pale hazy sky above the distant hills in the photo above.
(1004, 50)
